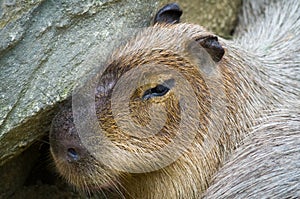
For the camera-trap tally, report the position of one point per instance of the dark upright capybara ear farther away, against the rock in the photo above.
(169, 14)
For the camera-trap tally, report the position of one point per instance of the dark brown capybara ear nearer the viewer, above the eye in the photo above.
(212, 46)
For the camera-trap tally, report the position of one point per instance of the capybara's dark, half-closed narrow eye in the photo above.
(159, 90)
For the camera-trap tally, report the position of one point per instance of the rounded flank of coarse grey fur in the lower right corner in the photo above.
(267, 164)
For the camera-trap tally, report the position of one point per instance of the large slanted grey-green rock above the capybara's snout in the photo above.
(42, 48)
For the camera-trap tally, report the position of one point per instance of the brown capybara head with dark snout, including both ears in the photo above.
(154, 122)
